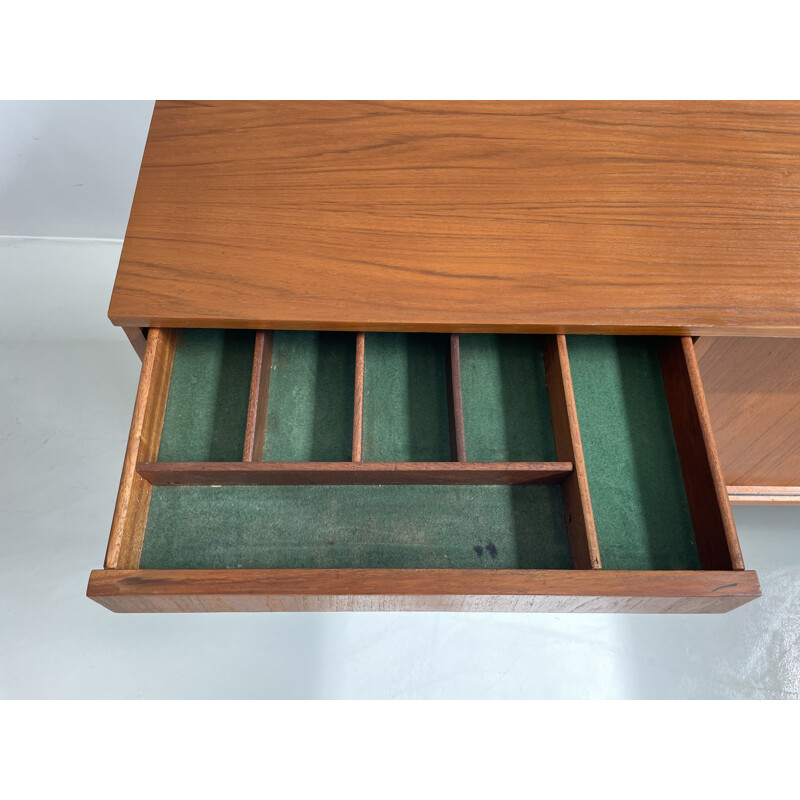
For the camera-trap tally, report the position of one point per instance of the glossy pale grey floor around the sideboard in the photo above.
(66, 396)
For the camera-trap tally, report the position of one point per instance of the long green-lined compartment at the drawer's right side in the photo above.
(638, 498)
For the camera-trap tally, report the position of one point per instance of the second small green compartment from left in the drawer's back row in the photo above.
(312, 384)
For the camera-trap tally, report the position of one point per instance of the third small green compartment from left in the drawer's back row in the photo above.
(405, 398)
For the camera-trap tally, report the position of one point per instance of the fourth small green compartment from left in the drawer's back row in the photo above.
(505, 398)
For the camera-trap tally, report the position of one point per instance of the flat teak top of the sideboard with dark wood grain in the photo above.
(637, 217)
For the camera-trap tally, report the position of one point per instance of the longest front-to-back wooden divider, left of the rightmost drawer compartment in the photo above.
(577, 501)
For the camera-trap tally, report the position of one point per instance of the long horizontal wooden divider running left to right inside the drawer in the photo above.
(331, 473)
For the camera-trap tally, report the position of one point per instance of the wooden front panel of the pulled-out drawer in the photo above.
(422, 590)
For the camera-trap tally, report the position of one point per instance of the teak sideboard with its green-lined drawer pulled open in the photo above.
(456, 355)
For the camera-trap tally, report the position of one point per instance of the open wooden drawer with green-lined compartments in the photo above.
(298, 470)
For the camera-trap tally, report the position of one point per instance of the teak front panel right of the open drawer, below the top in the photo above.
(753, 391)
